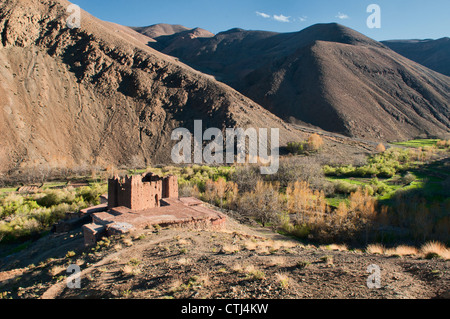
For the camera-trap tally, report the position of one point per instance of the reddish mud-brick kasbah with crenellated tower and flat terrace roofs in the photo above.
(139, 202)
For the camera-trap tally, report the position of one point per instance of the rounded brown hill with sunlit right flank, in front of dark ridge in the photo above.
(356, 90)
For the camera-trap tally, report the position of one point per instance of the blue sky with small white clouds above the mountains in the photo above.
(400, 19)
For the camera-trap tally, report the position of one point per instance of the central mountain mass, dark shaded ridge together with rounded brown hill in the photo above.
(327, 75)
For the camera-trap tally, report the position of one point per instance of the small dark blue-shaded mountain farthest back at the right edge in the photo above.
(434, 54)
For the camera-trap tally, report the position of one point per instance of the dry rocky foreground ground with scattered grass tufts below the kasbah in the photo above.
(239, 261)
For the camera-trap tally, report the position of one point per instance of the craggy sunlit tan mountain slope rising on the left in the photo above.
(98, 94)
